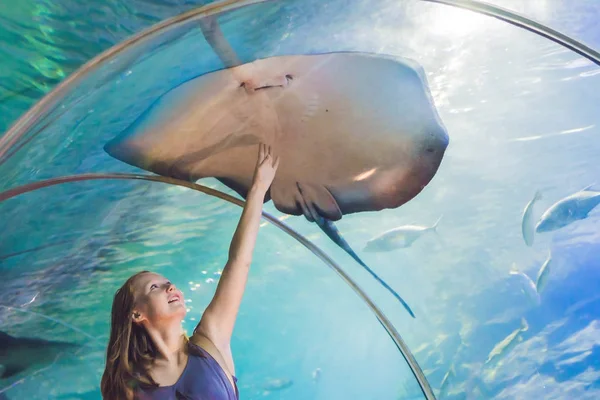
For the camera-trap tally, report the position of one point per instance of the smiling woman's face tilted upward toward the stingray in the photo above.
(157, 299)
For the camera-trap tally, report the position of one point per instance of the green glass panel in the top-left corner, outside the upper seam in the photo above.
(43, 42)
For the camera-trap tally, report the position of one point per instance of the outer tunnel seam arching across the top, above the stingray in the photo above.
(32, 116)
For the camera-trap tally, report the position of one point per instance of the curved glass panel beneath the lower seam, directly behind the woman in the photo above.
(75, 244)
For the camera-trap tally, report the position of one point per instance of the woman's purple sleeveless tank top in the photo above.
(202, 379)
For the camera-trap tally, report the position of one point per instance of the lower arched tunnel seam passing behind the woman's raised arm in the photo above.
(381, 317)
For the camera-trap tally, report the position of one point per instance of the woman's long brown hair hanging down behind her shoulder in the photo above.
(130, 349)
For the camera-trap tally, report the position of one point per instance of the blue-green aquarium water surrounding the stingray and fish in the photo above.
(521, 114)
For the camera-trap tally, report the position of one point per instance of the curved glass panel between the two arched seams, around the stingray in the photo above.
(519, 113)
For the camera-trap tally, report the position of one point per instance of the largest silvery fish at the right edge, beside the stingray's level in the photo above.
(568, 210)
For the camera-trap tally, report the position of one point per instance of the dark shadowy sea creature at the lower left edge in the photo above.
(20, 354)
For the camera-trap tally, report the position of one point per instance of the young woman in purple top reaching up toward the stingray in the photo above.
(149, 356)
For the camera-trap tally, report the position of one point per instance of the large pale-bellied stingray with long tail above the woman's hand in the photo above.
(355, 132)
